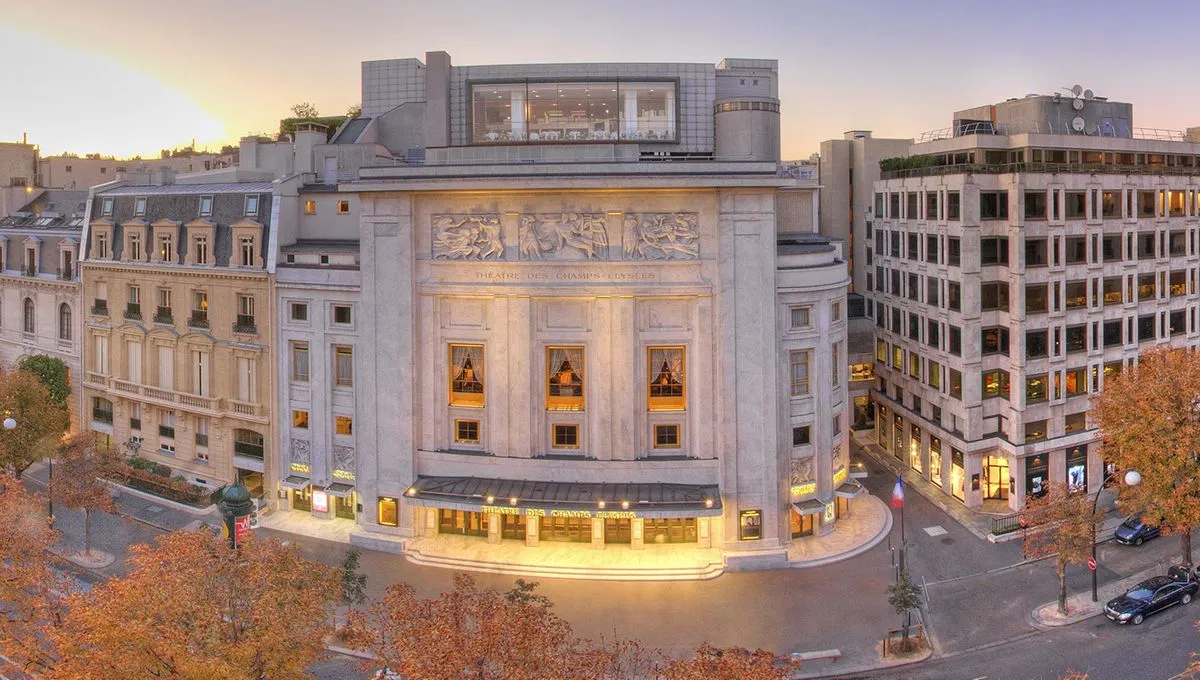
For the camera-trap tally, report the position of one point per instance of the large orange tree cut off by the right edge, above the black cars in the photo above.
(1150, 420)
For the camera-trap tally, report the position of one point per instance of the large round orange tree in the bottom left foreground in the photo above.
(194, 607)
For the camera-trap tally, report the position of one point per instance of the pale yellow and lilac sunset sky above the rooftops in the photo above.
(136, 76)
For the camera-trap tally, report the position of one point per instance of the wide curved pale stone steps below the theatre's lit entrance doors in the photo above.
(700, 573)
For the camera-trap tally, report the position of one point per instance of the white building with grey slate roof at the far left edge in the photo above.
(40, 310)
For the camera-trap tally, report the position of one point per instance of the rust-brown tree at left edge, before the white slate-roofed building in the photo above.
(40, 422)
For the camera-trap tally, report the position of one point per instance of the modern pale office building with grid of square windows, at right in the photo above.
(1019, 258)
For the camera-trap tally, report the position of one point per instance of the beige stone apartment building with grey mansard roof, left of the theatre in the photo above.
(178, 333)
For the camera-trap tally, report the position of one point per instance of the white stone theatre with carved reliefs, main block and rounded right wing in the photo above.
(595, 311)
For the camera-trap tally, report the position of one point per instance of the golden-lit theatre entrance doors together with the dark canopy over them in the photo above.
(598, 515)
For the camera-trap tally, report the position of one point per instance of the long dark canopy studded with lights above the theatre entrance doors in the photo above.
(658, 500)
